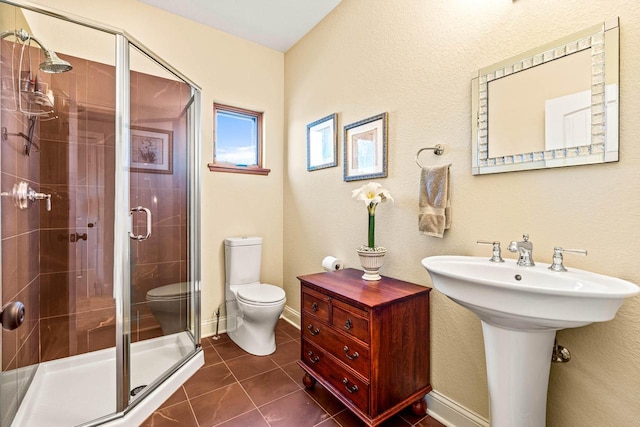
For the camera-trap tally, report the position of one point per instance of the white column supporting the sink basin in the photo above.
(518, 364)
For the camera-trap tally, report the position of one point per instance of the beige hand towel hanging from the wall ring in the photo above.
(435, 205)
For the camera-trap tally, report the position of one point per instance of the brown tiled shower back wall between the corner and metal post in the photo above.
(77, 166)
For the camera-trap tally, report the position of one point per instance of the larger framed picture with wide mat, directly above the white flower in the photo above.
(365, 149)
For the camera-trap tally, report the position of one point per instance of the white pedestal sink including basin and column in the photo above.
(521, 308)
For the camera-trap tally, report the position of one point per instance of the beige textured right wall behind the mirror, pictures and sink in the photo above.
(415, 59)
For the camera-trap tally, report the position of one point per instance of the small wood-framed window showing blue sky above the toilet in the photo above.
(237, 143)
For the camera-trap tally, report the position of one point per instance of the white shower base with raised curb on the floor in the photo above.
(78, 389)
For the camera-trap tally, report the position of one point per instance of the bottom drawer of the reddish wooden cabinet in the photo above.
(347, 384)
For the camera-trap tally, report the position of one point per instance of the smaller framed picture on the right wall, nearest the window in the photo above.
(322, 143)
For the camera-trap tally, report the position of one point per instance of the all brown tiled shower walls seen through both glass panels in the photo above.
(60, 263)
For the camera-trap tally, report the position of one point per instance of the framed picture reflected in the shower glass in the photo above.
(151, 150)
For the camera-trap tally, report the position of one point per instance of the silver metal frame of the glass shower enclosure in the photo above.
(122, 293)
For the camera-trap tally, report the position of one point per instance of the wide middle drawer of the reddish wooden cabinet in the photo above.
(347, 350)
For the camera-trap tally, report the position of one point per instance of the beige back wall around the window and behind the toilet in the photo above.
(231, 71)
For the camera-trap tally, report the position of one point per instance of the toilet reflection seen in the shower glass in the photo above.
(168, 304)
